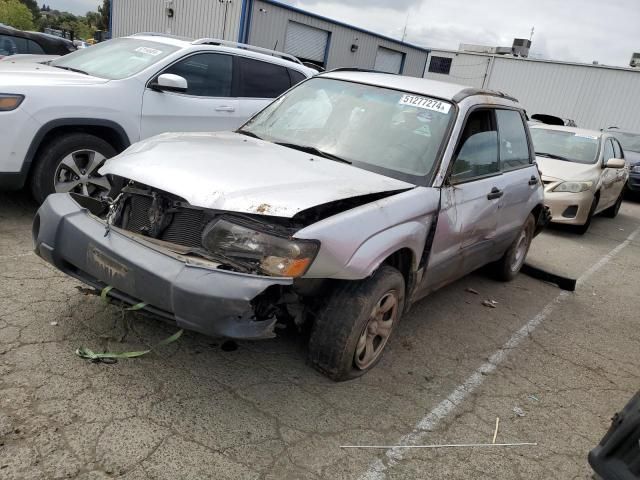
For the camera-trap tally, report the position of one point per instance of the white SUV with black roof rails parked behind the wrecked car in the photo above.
(60, 121)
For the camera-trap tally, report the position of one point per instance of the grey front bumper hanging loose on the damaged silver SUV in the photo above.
(200, 298)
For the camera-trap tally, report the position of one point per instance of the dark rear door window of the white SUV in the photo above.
(258, 79)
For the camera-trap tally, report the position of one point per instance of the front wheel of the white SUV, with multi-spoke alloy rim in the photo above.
(70, 163)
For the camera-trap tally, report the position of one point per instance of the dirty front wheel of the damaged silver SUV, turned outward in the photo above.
(350, 333)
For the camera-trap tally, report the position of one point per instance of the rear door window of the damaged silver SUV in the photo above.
(514, 146)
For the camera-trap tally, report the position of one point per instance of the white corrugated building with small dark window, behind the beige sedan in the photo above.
(595, 96)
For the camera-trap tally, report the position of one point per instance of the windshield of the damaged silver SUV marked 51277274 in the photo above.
(386, 131)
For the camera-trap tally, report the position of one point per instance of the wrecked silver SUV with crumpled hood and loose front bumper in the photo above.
(337, 206)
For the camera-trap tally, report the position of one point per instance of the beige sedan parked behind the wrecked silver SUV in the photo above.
(583, 172)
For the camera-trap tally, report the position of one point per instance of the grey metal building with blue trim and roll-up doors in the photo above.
(270, 24)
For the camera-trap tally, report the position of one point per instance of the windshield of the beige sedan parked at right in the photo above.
(570, 146)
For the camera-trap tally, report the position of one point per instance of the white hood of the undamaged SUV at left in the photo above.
(26, 74)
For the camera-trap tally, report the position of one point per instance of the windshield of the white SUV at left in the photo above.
(115, 59)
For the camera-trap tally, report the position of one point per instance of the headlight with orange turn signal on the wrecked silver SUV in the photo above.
(268, 253)
